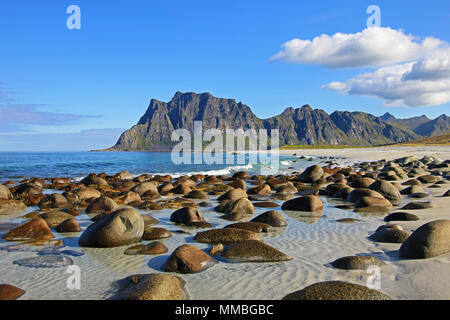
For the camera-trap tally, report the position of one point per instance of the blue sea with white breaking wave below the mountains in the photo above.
(19, 165)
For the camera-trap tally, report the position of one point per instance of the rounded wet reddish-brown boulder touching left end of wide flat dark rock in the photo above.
(189, 259)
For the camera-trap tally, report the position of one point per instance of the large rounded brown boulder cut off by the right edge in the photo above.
(430, 240)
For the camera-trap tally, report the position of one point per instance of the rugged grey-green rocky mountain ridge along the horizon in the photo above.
(299, 126)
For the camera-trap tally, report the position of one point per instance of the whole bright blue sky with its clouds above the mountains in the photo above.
(78, 89)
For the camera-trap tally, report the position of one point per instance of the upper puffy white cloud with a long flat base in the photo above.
(372, 47)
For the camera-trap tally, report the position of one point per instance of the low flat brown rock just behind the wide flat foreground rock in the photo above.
(229, 235)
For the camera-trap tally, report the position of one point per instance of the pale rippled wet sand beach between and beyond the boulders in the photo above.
(312, 243)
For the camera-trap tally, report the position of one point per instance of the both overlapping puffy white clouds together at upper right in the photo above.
(411, 72)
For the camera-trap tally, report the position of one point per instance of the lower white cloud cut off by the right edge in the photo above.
(415, 84)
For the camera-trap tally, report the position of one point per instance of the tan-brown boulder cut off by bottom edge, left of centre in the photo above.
(151, 287)
